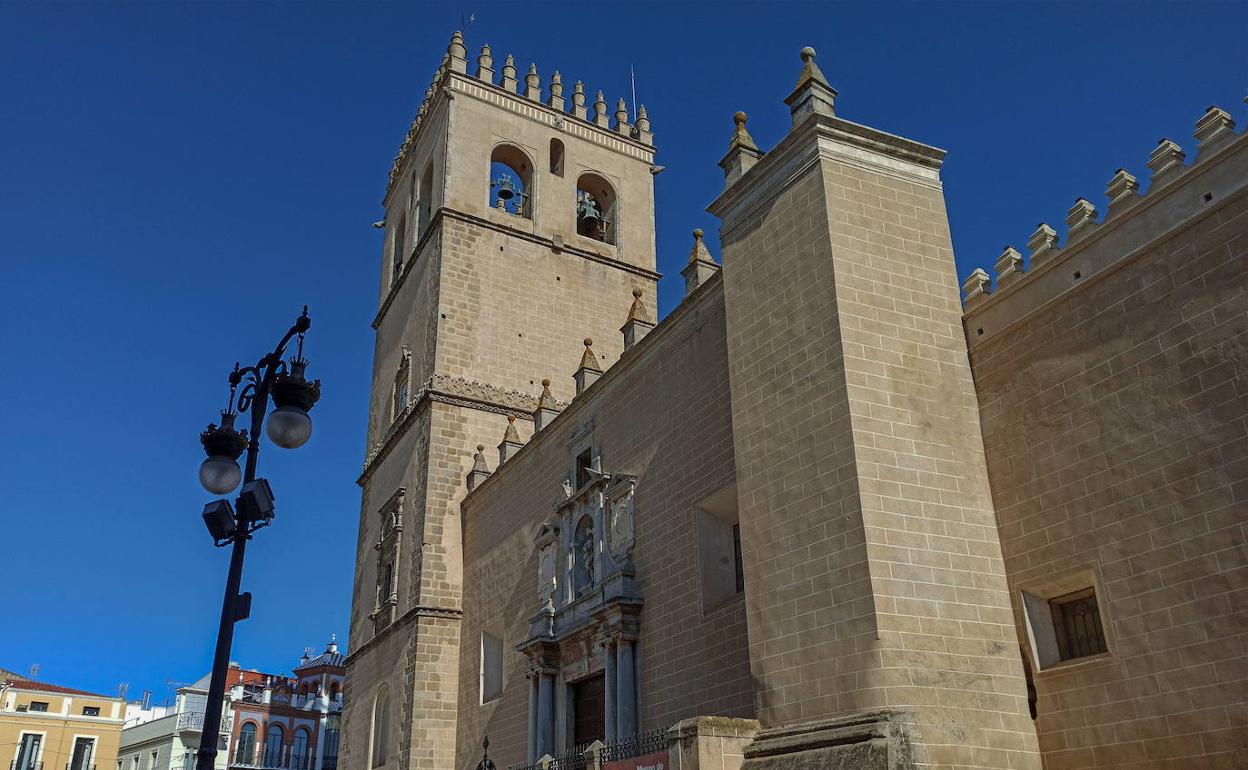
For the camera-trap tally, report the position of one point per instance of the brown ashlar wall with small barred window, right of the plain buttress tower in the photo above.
(1118, 451)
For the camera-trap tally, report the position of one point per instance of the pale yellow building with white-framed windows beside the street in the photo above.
(47, 727)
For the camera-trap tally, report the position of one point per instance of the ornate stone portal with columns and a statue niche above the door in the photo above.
(588, 615)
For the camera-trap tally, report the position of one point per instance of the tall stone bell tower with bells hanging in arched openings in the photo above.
(516, 213)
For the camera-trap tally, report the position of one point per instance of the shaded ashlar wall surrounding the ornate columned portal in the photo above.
(691, 661)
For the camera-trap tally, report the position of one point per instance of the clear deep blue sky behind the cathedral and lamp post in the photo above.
(178, 180)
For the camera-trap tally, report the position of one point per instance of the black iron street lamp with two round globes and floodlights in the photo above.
(289, 427)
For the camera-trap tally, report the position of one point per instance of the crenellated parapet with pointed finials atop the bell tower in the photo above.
(527, 88)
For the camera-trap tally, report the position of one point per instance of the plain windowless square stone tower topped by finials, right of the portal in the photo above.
(879, 618)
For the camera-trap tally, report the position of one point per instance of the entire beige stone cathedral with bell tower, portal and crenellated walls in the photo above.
(831, 512)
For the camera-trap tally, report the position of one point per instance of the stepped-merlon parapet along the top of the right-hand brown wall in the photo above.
(1177, 193)
